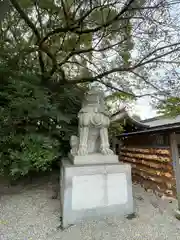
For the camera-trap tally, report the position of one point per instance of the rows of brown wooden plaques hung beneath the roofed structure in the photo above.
(152, 168)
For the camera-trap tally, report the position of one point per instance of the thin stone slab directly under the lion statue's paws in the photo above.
(94, 158)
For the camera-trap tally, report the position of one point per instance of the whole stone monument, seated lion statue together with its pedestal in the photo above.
(93, 182)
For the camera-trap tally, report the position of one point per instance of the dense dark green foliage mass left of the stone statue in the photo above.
(35, 123)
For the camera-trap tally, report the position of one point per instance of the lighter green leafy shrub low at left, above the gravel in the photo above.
(33, 152)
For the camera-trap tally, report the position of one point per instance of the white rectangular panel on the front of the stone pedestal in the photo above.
(92, 191)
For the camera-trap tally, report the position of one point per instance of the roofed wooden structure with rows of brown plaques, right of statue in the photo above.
(152, 148)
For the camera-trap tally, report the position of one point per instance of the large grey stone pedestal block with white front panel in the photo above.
(95, 190)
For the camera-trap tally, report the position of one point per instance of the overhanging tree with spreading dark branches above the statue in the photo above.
(65, 41)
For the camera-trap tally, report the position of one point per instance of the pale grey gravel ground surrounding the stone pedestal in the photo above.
(31, 214)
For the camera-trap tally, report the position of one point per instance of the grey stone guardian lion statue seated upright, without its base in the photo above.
(93, 126)
